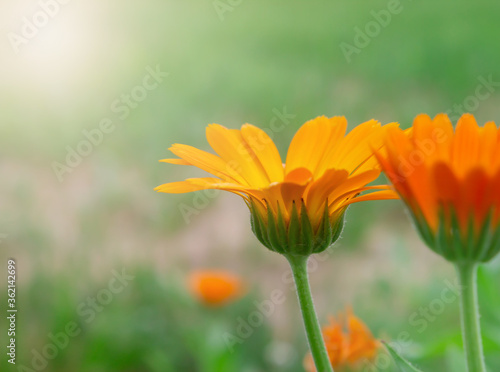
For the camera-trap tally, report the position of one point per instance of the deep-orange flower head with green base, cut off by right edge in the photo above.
(450, 180)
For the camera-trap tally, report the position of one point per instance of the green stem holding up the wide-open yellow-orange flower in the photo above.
(313, 330)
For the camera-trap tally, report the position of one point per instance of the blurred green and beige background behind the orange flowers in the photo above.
(72, 216)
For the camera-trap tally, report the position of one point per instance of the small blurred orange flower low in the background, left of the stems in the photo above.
(215, 288)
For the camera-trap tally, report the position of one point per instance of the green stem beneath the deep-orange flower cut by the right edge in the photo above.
(470, 317)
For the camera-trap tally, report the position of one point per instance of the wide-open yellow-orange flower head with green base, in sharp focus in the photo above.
(296, 207)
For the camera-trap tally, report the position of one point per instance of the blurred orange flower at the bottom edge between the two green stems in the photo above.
(346, 348)
